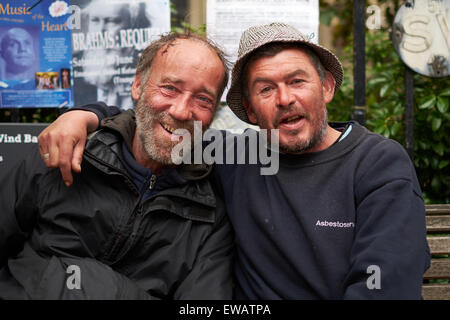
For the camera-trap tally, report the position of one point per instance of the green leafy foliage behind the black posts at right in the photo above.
(385, 100)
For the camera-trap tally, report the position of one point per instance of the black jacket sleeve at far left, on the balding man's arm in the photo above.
(46, 277)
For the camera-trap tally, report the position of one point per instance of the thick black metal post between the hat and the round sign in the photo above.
(359, 71)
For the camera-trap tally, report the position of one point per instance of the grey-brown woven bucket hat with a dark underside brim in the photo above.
(254, 38)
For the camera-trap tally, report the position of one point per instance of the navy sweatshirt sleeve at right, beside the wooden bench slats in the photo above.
(390, 252)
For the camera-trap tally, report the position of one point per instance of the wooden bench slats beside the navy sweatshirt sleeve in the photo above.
(437, 278)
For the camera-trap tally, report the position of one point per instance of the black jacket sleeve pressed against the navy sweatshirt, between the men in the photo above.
(211, 279)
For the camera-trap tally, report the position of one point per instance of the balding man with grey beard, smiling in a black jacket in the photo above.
(133, 225)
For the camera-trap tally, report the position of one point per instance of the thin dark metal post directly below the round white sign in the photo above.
(409, 111)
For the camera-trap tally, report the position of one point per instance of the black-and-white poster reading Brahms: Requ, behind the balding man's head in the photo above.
(107, 45)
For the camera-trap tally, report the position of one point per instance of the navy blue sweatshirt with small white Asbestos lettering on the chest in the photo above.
(347, 222)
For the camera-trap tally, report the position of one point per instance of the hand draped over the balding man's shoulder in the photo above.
(61, 144)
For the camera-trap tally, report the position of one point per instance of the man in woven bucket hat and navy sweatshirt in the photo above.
(343, 218)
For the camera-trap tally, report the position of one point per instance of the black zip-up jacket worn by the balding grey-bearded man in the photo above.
(177, 244)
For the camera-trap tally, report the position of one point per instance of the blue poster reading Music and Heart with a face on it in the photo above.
(35, 54)
